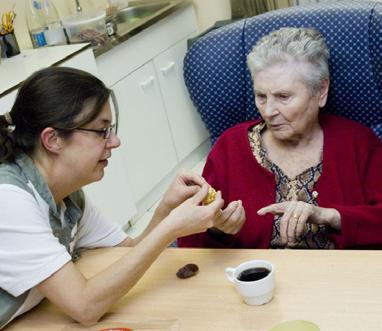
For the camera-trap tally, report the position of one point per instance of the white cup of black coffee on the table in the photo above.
(253, 292)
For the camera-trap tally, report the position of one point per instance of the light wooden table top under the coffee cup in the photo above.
(337, 290)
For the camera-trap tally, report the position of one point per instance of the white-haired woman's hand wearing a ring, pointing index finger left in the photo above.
(295, 216)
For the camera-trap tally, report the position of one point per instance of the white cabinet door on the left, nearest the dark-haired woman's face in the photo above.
(147, 145)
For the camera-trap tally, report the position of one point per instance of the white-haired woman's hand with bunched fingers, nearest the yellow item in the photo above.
(232, 218)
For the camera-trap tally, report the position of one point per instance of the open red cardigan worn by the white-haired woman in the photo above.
(351, 182)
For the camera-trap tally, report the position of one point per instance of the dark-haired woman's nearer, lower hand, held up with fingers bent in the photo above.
(192, 217)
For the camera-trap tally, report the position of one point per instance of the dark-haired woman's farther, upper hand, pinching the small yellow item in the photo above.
(184, 186)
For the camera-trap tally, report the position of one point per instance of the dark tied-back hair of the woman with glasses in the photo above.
(52, 97)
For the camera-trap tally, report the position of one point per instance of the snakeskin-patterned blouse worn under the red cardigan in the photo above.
(300, 188)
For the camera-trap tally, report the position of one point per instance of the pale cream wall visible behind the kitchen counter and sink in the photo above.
(208, 11)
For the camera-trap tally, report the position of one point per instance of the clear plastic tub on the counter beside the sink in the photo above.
(87, 27)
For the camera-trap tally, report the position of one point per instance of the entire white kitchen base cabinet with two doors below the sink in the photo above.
(159, 128)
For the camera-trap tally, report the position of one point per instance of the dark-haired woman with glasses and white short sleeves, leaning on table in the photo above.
(56, 139)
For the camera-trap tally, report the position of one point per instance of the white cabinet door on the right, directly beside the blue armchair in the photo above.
(188, 130)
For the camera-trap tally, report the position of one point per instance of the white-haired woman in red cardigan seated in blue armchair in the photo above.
(306, 179)
